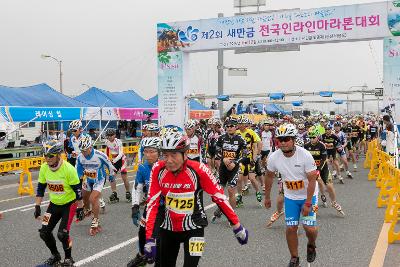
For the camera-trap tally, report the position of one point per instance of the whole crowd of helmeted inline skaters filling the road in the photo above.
(177, 165)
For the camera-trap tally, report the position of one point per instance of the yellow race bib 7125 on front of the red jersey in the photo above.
(181, 203)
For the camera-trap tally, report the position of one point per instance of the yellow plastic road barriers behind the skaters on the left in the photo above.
(26, 164)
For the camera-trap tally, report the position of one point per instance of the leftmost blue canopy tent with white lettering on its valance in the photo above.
(39, 103)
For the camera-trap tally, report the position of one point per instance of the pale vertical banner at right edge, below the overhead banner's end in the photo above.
(391, 76)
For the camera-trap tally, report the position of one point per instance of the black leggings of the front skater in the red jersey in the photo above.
(170, 245)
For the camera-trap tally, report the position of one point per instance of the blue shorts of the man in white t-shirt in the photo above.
(293, 212)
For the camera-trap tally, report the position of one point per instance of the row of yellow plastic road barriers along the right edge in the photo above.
(387, 178)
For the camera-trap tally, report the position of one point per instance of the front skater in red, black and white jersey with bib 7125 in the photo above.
(181, 182)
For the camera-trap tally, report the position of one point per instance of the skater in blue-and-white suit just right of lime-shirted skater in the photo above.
(91, 167)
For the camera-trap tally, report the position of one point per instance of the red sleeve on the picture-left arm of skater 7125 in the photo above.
(153, 200)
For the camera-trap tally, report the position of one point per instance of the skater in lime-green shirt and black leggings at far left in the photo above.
(64, 187)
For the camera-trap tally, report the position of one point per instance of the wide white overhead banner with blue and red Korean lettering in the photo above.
(320, 25)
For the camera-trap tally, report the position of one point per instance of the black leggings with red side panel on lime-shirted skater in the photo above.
(55, 213)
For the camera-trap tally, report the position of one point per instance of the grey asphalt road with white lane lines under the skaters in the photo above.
(348, 241)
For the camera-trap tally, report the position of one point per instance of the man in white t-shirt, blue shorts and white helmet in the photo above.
(299, 174)
